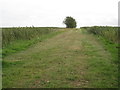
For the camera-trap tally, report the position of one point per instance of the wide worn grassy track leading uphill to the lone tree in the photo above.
(70, 59)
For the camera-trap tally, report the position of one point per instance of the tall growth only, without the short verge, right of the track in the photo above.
(109, 33)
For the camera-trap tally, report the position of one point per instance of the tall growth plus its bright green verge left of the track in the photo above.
(17, 39)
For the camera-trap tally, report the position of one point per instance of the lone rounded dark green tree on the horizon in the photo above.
(70, 22)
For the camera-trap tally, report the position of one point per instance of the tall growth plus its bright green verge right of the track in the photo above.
(110, 38)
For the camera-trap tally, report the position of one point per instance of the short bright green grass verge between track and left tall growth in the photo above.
(20, 45)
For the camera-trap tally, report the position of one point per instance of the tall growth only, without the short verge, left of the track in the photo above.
(24, 33)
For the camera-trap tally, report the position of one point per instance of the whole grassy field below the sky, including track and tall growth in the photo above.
(60, 58)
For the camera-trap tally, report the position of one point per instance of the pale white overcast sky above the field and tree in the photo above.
(48, 13)
